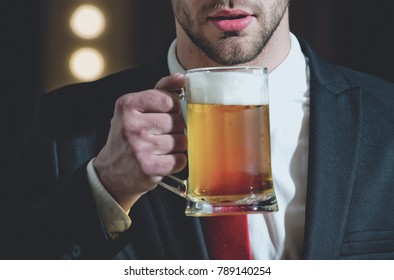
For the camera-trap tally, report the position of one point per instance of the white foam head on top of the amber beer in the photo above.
(227, 88)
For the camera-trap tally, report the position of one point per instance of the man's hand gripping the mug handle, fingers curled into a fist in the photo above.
(146, 141)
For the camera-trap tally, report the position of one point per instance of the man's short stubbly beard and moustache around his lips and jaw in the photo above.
(232, 48)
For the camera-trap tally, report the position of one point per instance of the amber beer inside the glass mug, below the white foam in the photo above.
(229, 152)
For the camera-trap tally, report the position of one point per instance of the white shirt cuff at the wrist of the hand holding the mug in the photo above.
(114, 218)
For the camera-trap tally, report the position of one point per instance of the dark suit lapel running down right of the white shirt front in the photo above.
(335, 123)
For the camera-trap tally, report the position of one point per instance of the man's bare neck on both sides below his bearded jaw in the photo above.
(272, 55)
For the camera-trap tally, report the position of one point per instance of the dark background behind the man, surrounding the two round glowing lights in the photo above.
(354, 33)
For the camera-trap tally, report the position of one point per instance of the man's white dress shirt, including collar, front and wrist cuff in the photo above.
(277, 235)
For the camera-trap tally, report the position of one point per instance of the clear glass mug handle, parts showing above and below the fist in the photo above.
(171, 182)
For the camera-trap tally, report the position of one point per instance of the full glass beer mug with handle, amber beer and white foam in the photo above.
(229, 155)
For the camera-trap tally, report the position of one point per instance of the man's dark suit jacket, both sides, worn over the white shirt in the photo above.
(350, 193)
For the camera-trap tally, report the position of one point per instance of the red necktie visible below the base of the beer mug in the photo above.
(227, 237)
